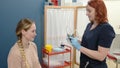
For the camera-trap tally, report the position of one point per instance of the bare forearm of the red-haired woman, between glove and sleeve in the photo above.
(98, 54)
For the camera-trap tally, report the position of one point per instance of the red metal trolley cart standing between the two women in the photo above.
(67, 50)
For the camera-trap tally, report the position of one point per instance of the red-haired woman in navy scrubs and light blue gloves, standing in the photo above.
(97, 37)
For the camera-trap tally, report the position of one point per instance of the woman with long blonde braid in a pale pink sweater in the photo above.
(24, 54)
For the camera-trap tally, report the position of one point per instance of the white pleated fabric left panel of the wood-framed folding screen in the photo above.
(58, 22)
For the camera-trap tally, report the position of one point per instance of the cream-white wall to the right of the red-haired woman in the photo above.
(113, 8)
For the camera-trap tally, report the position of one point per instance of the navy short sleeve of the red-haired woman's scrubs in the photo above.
(106, 36)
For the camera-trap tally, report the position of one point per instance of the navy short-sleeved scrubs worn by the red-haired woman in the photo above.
(103, 36)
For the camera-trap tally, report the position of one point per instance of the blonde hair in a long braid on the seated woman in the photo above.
(23, 24)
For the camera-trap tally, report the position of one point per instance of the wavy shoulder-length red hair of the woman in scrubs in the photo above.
(100, 9)
